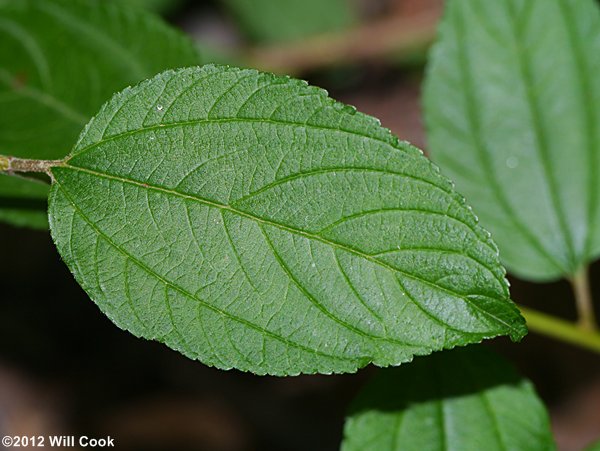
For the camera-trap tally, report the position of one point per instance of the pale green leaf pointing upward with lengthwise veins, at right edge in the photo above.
(512, 106)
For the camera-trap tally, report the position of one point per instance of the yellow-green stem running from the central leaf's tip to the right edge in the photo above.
(561, 330)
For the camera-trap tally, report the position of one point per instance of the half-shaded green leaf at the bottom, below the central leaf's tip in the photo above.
(467, 399)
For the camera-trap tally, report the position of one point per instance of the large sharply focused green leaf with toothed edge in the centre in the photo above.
(249, 221)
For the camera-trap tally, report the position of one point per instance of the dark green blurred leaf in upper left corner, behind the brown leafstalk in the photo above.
(60, 60)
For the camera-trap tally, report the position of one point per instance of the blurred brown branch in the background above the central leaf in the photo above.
(398, 33)
